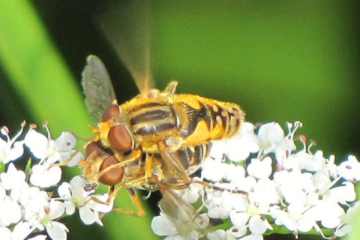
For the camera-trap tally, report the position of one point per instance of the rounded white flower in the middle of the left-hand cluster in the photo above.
(45, 175)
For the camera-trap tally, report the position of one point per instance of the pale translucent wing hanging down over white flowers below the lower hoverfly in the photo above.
(180, 213)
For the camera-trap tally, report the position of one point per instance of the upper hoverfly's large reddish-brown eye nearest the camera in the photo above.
(120, 138)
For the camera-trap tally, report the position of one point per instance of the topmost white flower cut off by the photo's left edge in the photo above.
(10, 148)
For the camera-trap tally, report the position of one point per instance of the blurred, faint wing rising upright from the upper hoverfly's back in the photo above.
(127, 27)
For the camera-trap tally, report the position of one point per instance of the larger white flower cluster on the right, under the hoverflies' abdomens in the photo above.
(263, 180)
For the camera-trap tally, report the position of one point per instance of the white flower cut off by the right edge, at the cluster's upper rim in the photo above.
(350, 169)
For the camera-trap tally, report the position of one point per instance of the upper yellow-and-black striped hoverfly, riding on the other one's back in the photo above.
(155, 123)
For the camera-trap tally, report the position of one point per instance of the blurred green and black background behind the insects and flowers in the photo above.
(281, 60)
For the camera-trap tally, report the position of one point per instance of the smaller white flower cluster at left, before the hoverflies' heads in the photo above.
(34, 200)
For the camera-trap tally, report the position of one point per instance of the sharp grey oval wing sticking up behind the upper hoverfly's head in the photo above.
(98, 89)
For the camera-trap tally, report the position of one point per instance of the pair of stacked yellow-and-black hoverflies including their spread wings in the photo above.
(156, 140)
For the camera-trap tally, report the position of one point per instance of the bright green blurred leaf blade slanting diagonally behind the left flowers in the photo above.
(40, 76)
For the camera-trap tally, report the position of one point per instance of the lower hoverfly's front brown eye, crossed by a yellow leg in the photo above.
(113, 176)
